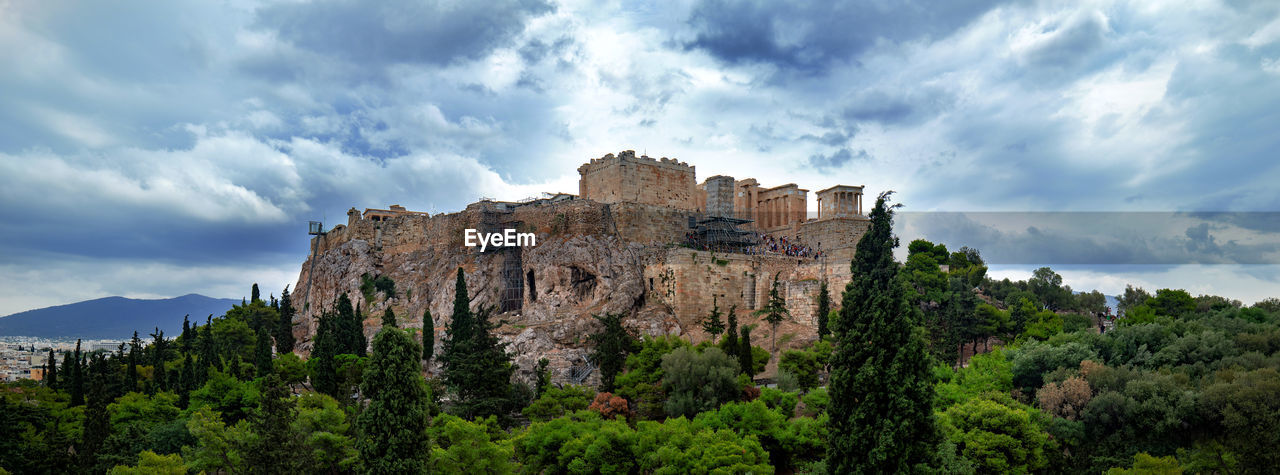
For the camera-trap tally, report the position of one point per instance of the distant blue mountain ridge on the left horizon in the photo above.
(113, 318)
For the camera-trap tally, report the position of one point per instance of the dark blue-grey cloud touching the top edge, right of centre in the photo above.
(813, 38)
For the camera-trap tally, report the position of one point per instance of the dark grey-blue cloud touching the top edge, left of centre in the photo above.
(436, 33)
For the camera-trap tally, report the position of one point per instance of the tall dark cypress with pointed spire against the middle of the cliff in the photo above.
(477, 367)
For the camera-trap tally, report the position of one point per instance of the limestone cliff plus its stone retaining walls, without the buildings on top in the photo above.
(589, 259)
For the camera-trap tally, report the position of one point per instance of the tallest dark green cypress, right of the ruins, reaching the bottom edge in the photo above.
(881, 387)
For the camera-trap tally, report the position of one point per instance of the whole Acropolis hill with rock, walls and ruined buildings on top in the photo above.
(642, 239)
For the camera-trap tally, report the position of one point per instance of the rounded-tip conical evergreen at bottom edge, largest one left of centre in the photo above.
(394, 426)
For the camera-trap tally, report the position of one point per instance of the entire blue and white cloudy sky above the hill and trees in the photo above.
(157, 149)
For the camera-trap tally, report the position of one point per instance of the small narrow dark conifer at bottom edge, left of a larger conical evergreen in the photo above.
(277, 447)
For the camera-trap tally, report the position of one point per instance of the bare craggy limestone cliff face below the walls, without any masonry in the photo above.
(565, 282)
